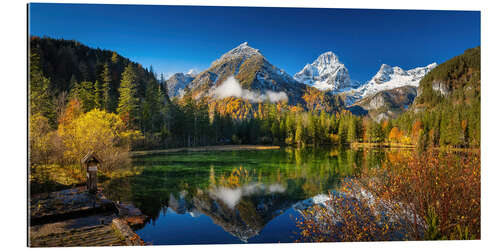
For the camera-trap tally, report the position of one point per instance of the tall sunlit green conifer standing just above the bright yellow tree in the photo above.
(128, 103)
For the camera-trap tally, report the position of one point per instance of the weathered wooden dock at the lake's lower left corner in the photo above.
(73, 217)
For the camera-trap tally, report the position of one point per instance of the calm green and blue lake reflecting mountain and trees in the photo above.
(233, 196)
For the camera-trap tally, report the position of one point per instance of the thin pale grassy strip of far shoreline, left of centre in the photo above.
(203, 149)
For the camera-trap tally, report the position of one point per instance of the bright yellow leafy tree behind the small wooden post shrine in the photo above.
(99, 131)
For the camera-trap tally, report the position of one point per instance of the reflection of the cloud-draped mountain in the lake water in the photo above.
(241, 211)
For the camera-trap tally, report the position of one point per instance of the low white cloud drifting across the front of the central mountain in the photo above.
(232, 88)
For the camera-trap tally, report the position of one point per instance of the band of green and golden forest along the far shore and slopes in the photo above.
(82, 98)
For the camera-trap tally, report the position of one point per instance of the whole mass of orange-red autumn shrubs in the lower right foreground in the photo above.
(428, 196)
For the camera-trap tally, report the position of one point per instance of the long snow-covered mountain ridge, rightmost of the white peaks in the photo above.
(388, 78)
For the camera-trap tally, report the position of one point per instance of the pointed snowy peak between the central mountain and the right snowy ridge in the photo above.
(326, 73)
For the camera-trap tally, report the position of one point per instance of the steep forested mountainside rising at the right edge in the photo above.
(448, 102)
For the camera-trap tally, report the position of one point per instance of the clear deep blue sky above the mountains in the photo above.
(179, 38)
